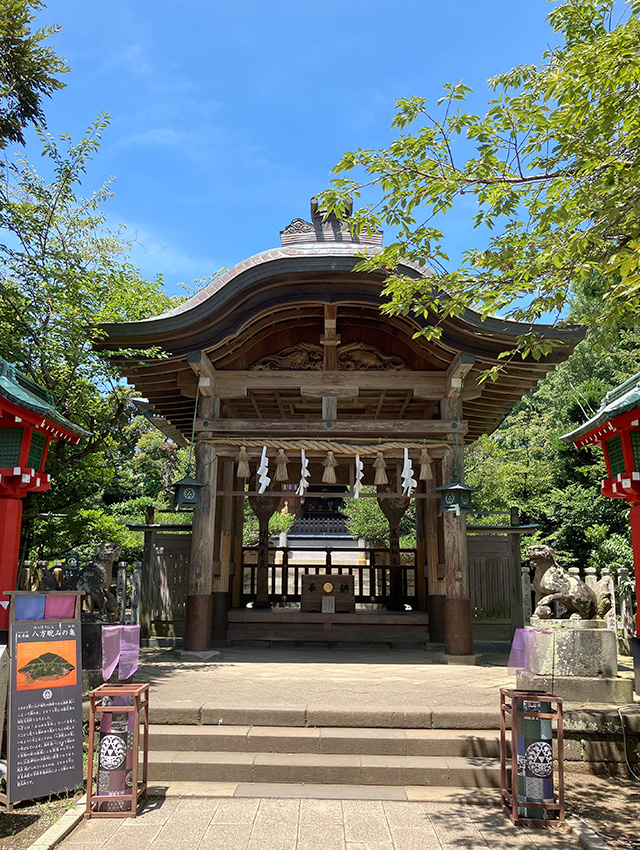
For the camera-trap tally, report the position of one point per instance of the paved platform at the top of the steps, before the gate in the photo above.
(337, 679)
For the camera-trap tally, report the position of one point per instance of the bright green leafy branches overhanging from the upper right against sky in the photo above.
(553, 179)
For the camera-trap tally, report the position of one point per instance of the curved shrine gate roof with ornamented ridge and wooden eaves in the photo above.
(269, 312)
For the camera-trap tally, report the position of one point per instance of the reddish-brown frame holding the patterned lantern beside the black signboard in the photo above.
(140, 706)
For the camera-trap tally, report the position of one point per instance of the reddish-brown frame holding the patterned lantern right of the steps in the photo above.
(511, 804)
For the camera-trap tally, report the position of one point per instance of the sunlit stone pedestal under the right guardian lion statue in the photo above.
(581, 663)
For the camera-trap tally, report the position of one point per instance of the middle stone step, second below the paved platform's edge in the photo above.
(323, 769)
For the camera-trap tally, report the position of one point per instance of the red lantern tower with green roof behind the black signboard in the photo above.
(29, 423)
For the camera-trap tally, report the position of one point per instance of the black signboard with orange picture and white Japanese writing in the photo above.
(45, 709)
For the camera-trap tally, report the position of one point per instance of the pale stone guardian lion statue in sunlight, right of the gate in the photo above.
(555, 584)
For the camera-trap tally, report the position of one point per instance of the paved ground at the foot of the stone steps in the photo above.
(280, 824)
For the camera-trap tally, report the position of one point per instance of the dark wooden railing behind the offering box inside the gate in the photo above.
(288, 564)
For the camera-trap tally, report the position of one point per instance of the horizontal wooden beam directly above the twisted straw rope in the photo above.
(353, 427)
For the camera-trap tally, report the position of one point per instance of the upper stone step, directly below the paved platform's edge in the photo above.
(330, 741)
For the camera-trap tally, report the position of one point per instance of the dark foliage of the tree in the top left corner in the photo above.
(29, 69)
